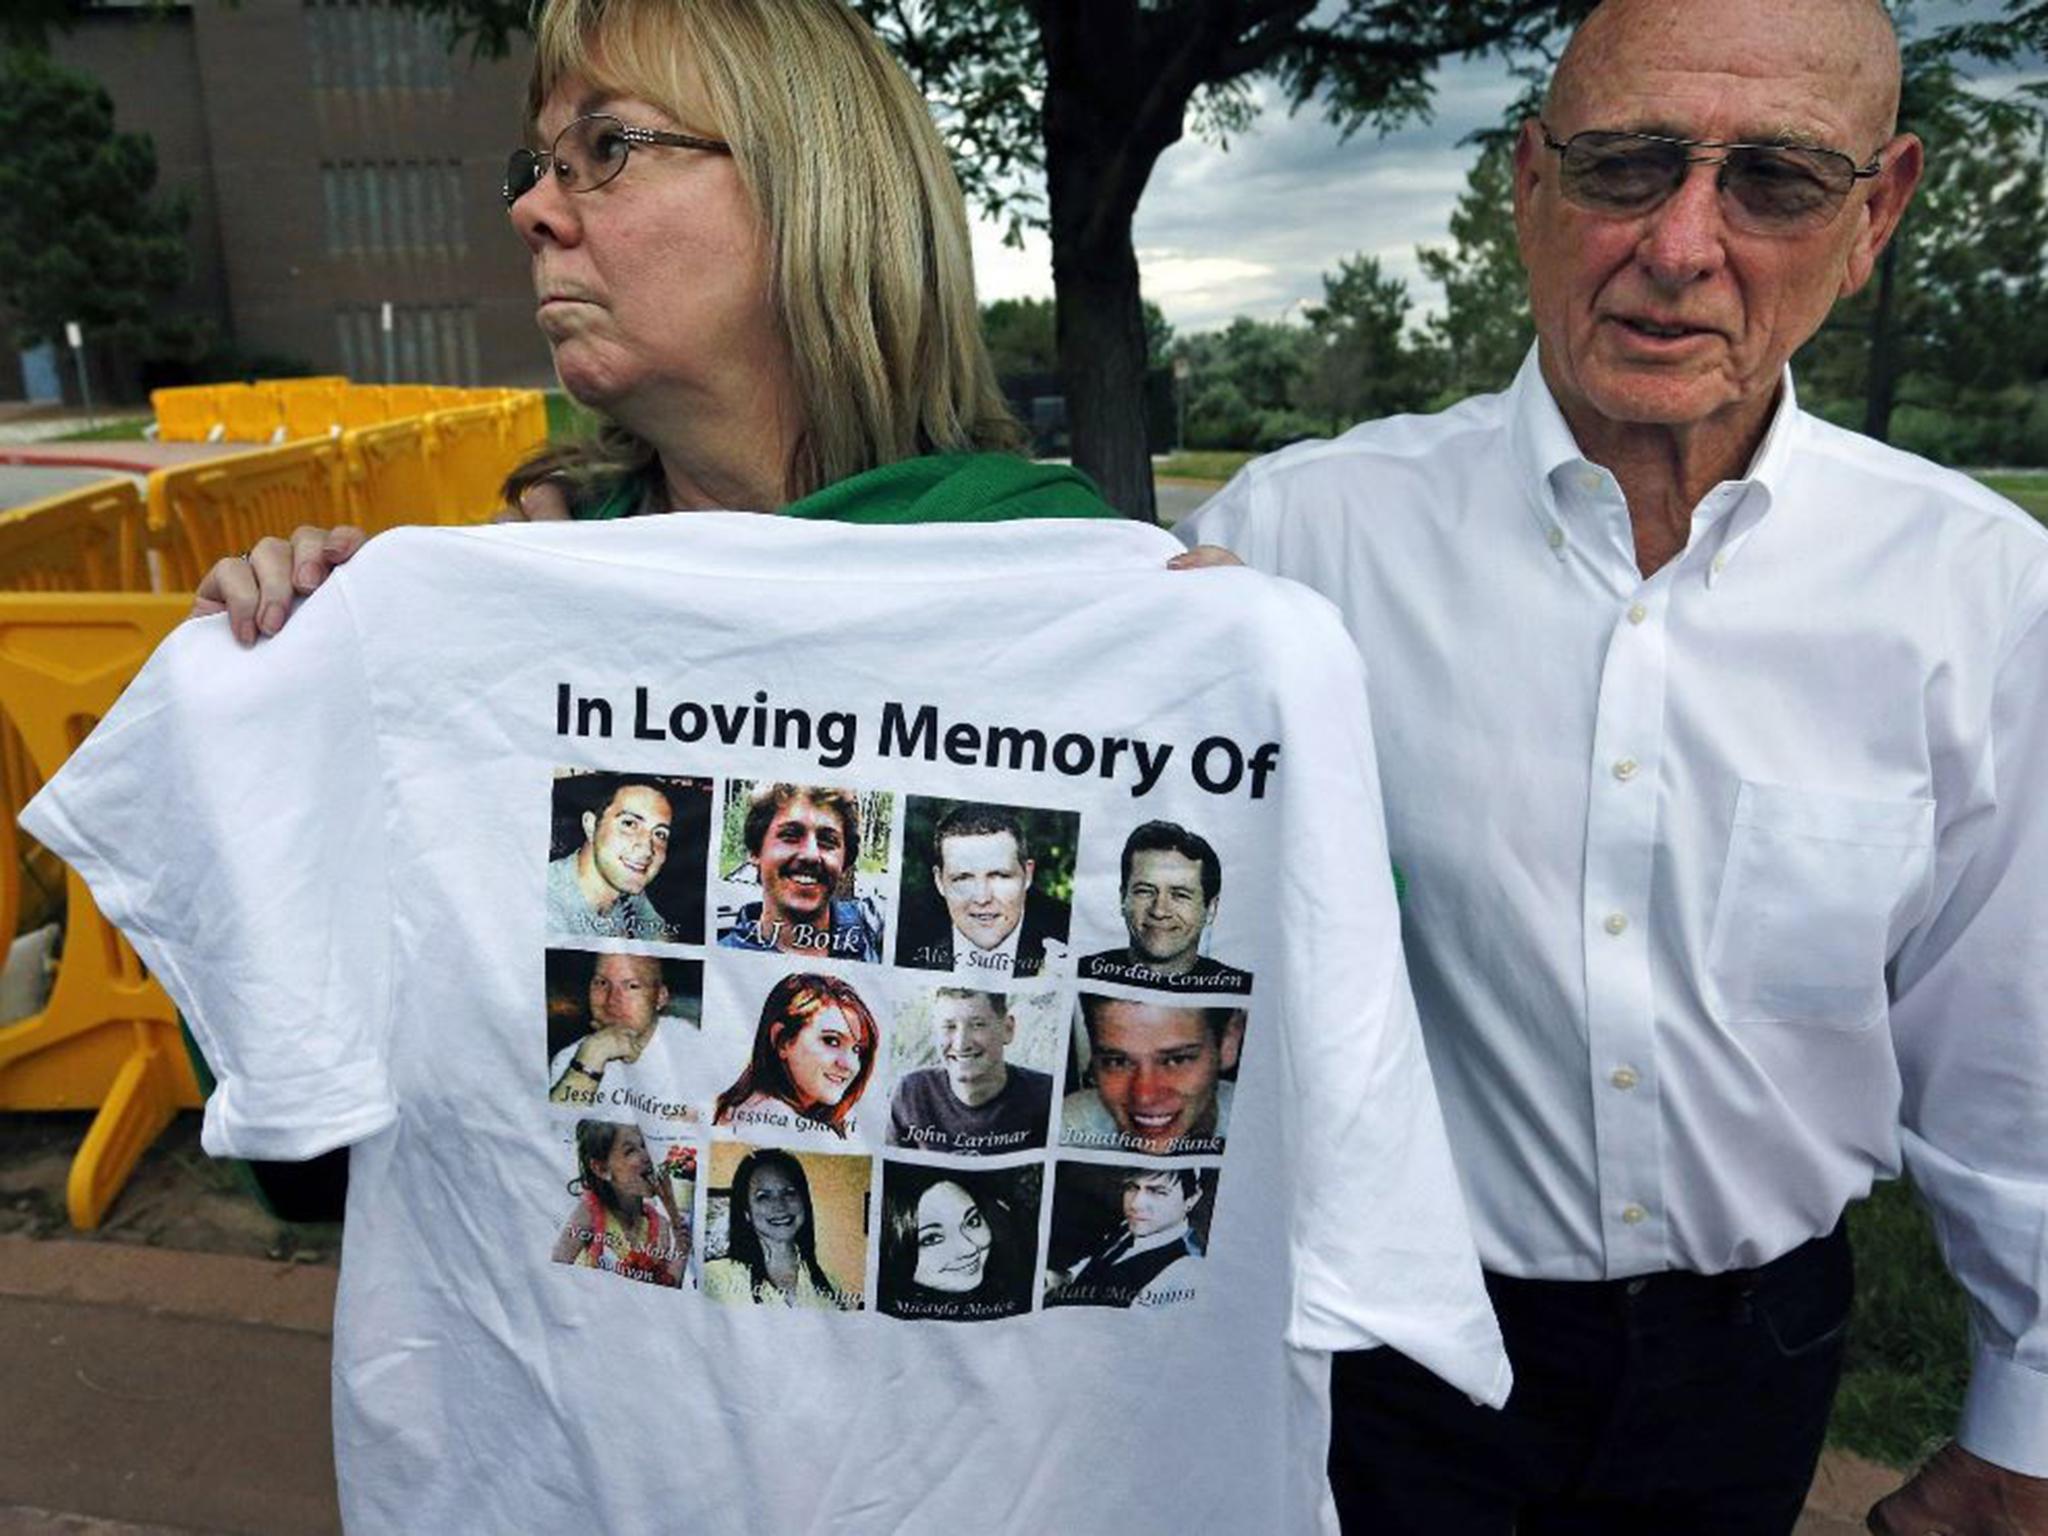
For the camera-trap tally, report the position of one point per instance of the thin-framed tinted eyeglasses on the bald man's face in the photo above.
(1768, 189)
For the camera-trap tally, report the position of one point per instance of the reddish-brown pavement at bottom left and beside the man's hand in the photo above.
(153, 1394)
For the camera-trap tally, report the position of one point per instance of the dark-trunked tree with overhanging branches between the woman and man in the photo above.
(1091, 93)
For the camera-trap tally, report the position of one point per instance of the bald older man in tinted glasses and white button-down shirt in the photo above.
(1717, 757)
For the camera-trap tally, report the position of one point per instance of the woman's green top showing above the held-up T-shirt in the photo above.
(935, 488)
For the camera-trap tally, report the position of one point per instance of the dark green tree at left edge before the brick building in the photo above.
(81, 237)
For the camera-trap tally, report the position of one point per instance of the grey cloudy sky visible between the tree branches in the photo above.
(1252, 230)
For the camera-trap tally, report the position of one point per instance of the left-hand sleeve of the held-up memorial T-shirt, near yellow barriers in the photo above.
(228, 818)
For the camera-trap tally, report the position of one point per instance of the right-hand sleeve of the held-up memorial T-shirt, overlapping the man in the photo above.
(1383, 1248)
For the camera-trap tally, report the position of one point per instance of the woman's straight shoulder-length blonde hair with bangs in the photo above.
(873, 275)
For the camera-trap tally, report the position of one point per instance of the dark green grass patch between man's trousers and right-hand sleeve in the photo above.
(1910, 1351)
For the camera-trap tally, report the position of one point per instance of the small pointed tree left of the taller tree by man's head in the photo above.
(1361, 364)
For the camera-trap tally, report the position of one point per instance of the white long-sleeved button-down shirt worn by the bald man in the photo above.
(1727, 888)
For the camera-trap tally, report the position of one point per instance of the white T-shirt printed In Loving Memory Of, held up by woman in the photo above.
(333, 851)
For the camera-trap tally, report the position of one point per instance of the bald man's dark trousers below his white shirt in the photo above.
(1670, 1406)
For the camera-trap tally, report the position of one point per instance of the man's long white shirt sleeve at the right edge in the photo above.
(1971, 1031)
